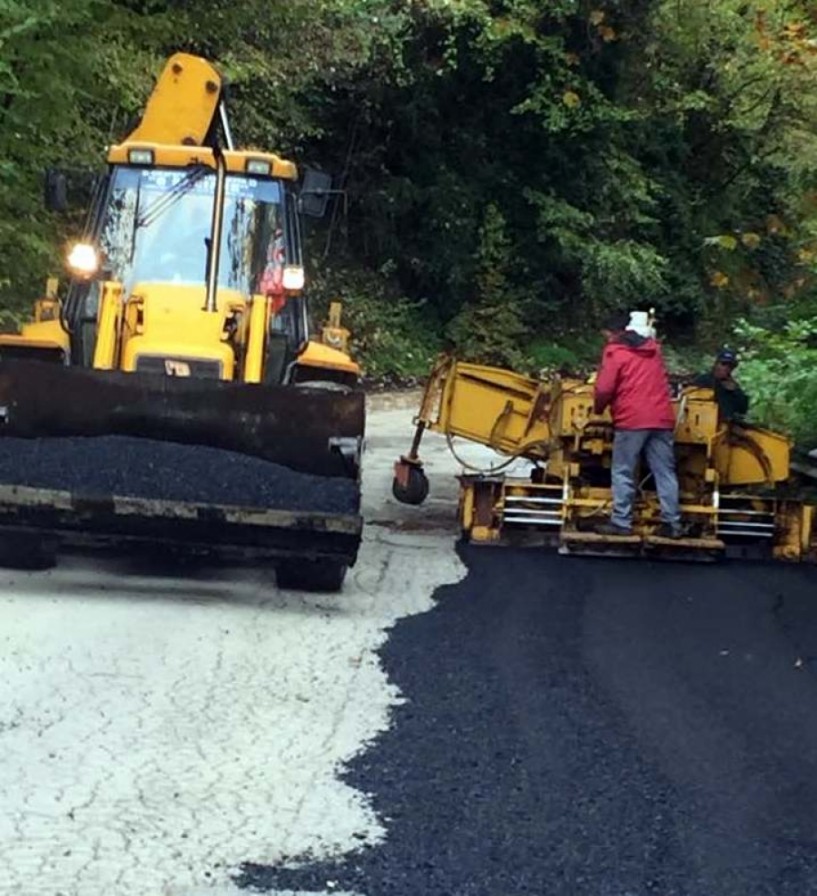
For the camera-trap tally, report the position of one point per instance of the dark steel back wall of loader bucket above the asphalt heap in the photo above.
(308, 430)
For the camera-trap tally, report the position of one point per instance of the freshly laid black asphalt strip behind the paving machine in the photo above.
(606, 727)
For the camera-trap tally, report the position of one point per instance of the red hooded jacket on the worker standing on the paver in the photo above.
(632, 380)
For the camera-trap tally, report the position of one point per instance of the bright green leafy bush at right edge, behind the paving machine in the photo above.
(779, 373)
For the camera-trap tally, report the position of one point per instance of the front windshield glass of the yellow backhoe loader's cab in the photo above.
(157, 223)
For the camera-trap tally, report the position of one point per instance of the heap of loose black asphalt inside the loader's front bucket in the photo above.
(144, 468)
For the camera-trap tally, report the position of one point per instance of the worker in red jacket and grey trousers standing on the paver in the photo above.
(632, 382)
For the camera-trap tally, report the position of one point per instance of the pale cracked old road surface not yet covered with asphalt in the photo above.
(157, 731)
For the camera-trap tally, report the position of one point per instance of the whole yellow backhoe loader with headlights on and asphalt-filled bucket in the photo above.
(173, 396)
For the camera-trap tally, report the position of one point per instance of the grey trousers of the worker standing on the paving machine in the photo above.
(657, 445)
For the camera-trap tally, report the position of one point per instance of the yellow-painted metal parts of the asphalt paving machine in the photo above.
(552, 421)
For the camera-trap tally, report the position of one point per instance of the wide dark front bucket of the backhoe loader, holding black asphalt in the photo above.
(240, 473)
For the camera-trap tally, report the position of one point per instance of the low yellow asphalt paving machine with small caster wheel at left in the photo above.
(737, 494)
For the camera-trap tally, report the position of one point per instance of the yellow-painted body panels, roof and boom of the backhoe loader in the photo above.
(162, 320)
